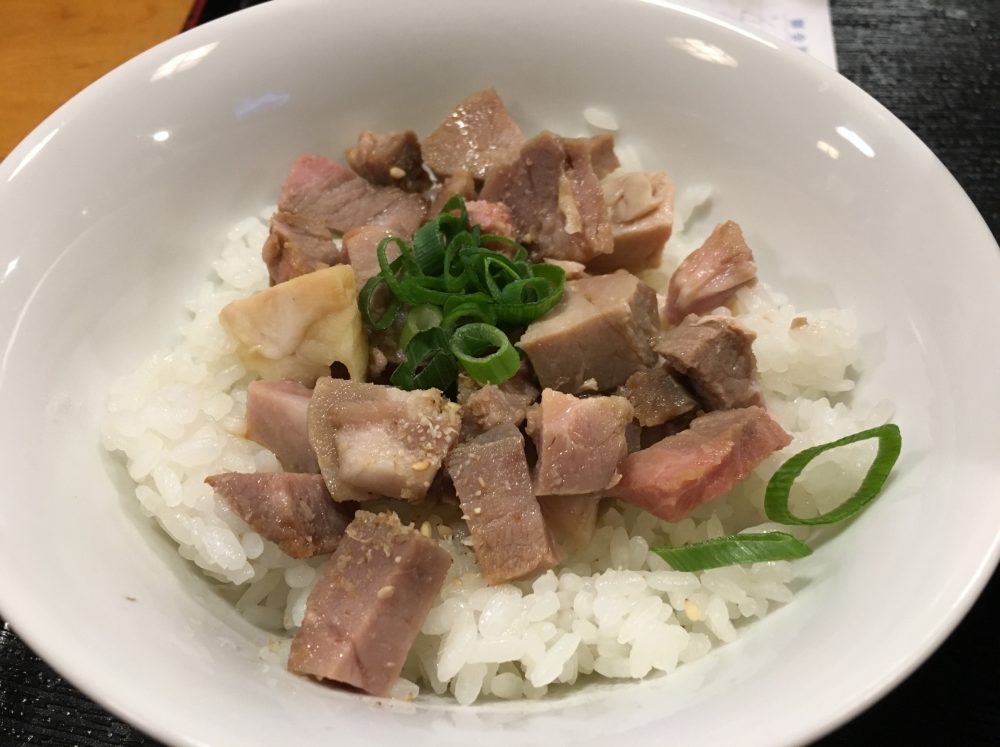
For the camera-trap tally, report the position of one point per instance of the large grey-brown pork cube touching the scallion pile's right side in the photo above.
(601, 330)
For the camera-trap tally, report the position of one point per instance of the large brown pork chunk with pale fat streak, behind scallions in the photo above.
(554, 193)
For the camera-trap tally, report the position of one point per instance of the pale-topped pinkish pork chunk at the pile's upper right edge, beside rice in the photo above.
(641, 210)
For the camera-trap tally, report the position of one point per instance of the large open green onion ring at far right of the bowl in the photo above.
(780, 485)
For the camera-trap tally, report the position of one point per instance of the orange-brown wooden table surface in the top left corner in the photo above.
(52, 49)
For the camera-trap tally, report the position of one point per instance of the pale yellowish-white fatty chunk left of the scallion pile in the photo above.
(297, 329)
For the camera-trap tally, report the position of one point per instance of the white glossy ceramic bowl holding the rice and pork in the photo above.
(112, 208)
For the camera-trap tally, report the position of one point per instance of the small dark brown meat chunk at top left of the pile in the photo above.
(390, 159)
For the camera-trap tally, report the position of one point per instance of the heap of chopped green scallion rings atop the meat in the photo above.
(452, 278)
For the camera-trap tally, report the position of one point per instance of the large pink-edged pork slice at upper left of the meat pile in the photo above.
(321, 199)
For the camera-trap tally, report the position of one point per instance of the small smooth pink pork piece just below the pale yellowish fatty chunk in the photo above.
(276, 419)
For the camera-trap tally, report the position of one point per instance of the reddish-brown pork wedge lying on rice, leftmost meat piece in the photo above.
(292, 510)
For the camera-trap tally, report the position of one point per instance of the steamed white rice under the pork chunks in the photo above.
(612, 610)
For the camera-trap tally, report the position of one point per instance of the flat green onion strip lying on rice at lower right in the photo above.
(735, 549)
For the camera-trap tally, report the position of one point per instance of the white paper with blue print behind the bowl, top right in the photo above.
(804, 23)
